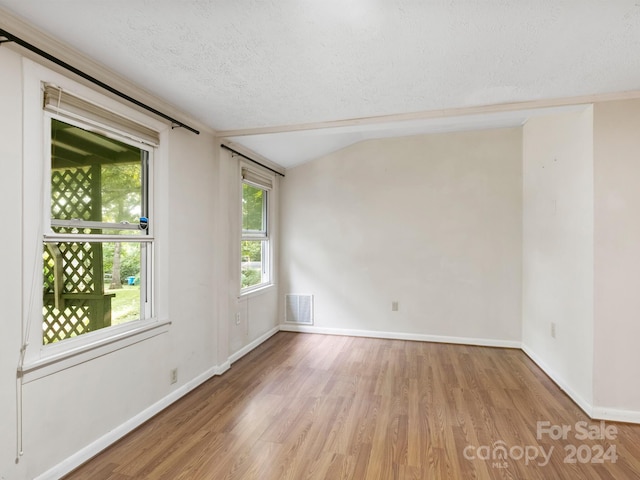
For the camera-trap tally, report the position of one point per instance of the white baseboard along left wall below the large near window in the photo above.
(78, 458)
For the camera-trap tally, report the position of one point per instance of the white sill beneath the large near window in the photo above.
(59, 356)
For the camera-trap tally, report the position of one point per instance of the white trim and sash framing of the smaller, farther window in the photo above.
(255, 174)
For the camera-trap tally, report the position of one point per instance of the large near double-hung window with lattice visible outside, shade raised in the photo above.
(98, 238)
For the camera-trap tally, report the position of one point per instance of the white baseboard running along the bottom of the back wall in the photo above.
(482, 342)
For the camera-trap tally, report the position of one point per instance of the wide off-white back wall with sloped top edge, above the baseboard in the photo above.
(433, 222)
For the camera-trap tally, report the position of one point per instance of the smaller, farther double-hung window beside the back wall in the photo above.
(255, 255)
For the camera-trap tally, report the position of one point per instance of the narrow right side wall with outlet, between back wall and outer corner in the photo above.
(558, 248)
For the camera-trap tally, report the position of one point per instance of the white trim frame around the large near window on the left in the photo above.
(40, 360)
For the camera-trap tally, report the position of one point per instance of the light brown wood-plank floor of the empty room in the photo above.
(306, 406)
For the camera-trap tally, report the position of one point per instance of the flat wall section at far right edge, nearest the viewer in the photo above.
(617, 259)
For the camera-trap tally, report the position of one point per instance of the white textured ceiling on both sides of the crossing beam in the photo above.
(249, 64)
